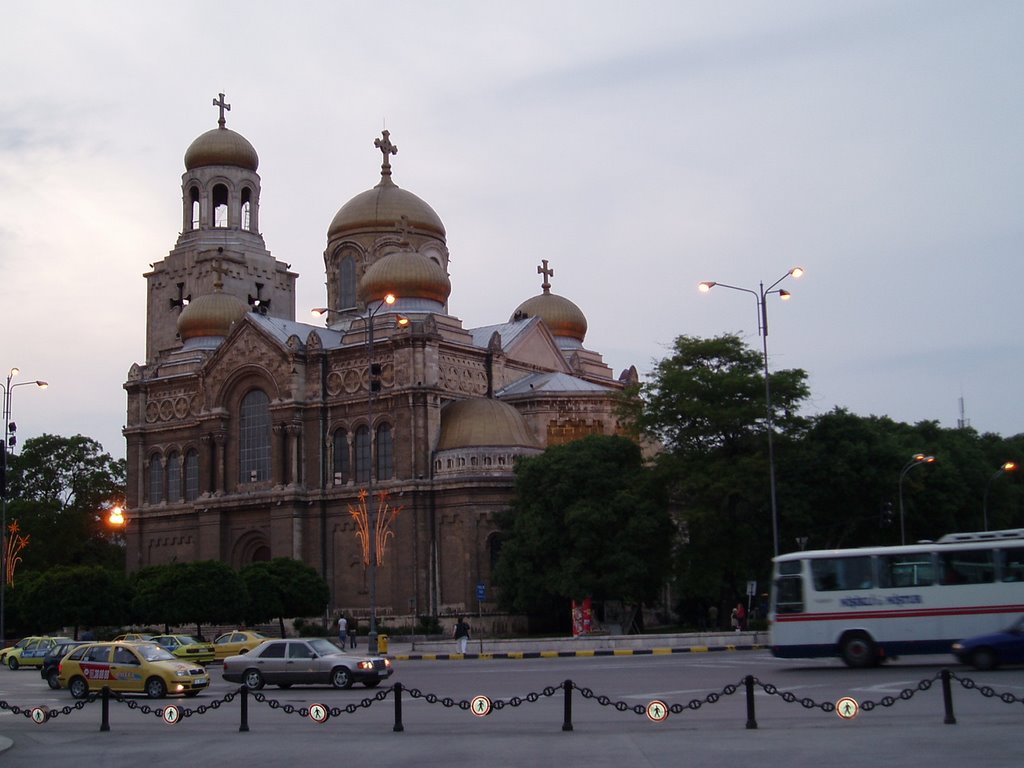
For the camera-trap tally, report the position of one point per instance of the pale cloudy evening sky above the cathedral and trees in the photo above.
(641, 148)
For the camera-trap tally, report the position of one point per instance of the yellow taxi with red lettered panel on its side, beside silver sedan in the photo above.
(131, 668)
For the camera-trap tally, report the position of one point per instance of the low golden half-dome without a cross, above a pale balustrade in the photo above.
(482, 422)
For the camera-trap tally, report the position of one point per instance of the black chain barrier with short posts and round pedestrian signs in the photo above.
(749, 684)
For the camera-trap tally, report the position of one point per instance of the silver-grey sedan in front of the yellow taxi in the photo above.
(305, 662)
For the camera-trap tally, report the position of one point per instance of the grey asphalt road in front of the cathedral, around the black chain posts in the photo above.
(707, 723)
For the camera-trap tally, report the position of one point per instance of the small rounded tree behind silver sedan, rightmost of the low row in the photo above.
(284, 587)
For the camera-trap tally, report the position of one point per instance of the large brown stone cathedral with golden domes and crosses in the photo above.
(375, 443)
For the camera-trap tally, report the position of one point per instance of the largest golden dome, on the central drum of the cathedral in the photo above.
(383, 208)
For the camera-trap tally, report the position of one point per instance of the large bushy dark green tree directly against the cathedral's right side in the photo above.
(589, 520)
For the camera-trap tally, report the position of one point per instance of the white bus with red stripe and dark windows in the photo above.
(873, 604)
